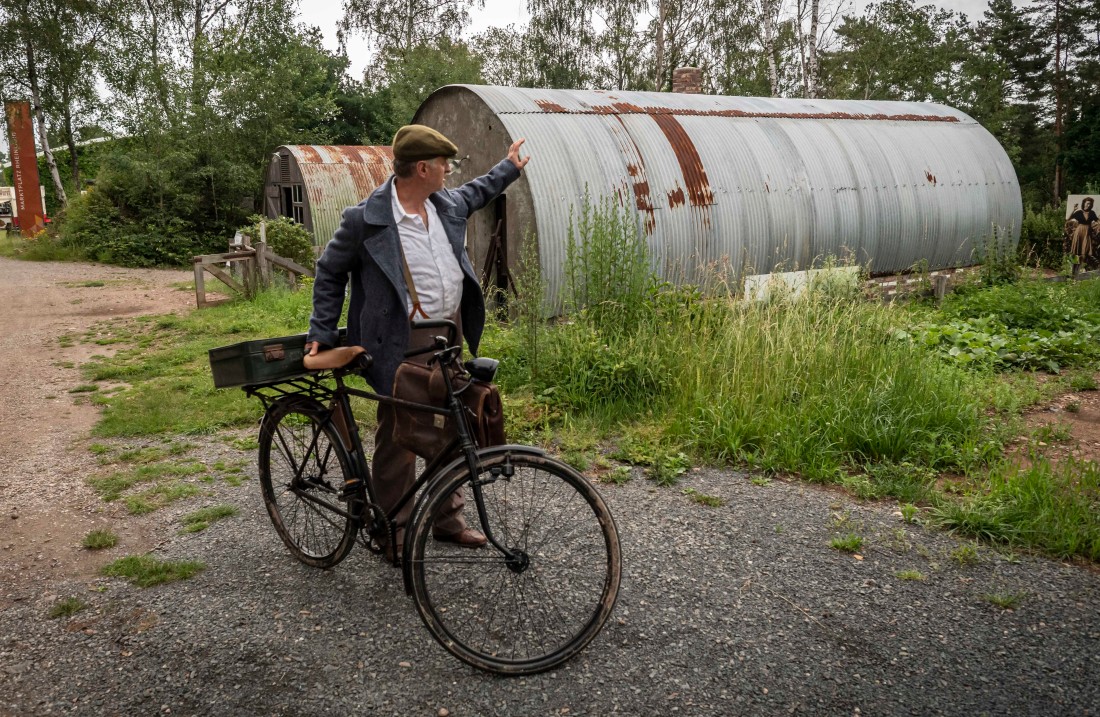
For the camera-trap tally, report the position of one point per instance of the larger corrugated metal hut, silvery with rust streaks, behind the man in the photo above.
(756, 182)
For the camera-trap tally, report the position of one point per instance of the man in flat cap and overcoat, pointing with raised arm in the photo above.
(414, 216)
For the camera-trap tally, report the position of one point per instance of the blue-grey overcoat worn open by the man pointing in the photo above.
(367, 247)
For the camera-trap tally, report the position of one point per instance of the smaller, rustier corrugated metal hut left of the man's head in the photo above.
(313, 184)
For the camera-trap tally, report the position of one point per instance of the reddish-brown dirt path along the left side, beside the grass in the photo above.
(46, 506)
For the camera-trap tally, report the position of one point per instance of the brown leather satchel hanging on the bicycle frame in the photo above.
(426, 434)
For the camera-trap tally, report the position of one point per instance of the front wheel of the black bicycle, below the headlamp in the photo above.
(536, 609)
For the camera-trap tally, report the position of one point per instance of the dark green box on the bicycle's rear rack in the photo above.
(262, 361)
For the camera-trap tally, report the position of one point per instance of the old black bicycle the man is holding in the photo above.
(532, 599)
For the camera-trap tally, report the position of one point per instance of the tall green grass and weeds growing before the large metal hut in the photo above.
(808, 385)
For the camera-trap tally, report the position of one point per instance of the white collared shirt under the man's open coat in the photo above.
(436, 272)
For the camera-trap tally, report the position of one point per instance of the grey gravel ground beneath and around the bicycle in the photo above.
(739, 610)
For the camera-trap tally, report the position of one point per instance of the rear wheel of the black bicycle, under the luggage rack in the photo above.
(303, 467)
